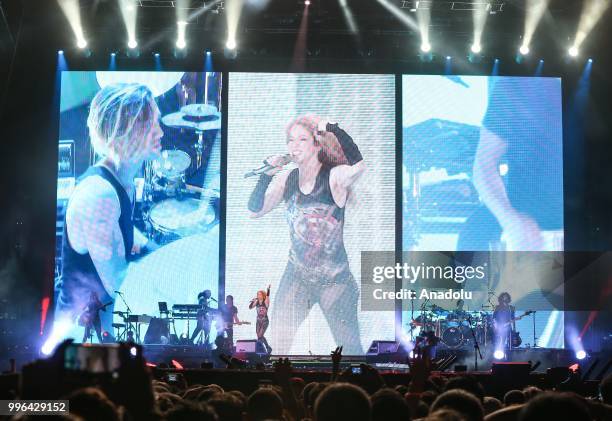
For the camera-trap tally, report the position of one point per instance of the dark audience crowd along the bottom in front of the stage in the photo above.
(141, 392)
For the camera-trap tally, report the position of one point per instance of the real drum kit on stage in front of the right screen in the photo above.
(453, 326)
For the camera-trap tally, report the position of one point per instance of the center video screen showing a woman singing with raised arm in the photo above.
(298, 225)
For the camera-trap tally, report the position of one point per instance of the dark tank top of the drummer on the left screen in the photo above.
(79, 275)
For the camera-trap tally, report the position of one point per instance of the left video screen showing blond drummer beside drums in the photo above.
(137, 202)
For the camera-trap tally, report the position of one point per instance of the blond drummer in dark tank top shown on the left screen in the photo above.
(99, 236)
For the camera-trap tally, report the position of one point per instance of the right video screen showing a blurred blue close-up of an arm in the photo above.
(483, 172)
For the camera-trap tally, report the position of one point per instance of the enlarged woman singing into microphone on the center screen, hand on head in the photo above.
(316, 193)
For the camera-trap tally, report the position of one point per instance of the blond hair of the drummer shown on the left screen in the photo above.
(119, 119)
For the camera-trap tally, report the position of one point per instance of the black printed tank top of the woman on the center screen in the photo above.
(316, 225)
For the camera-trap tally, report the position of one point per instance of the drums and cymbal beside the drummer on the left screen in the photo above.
(175, 209)
